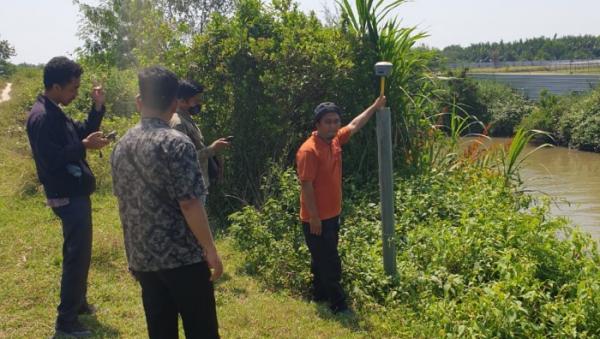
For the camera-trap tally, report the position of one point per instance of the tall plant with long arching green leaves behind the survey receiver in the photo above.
(384, 39)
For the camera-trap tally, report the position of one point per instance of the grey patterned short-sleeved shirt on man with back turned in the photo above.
(153, 168)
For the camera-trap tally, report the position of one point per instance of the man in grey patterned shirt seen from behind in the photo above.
(168, 242)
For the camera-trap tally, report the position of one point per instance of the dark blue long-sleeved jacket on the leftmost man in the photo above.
(56, 143)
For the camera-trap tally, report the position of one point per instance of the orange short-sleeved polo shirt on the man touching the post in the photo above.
(321, 163)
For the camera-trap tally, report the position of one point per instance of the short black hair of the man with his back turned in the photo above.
(158, 87)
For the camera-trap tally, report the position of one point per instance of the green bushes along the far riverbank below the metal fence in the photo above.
(571, 120)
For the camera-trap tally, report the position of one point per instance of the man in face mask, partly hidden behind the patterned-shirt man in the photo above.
(188, 105)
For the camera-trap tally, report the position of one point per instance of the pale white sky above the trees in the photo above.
(41, 29)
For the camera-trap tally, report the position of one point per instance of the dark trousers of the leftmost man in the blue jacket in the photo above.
(76, 218)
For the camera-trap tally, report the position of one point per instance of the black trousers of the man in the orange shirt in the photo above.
(326, 266)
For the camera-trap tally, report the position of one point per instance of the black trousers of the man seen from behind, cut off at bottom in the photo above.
(185, 291)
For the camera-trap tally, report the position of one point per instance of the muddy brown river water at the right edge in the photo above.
(571, 177)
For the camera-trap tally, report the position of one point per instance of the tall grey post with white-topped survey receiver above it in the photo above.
(386, 180)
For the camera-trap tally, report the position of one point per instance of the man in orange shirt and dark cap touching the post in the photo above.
(319, 162)
